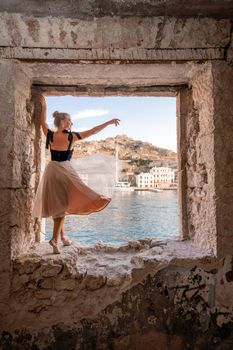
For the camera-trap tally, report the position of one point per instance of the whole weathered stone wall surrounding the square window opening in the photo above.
(161, 299)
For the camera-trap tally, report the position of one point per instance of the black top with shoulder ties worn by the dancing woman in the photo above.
(61, 156)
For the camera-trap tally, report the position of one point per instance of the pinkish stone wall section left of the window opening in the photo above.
(17, 231)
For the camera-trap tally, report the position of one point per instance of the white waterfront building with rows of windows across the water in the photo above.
(157, 175)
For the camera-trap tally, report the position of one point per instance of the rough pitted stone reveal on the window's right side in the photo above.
(200, 165)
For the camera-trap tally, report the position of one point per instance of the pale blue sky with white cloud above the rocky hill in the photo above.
(150, 119)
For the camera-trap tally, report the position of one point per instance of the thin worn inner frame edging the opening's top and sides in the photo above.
(122, 90)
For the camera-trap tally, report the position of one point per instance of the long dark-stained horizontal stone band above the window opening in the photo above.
(116, 32)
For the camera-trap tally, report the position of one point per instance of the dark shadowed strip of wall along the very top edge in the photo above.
(126, 8)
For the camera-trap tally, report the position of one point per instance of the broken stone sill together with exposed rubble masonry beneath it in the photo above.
(83, 280)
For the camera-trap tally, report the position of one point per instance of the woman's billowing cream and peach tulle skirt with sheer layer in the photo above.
(77, 186)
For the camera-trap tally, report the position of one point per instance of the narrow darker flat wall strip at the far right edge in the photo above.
(223, 152)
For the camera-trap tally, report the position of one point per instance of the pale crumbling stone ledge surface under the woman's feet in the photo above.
(113, 263)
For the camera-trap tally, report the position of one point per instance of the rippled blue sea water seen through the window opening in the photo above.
(130, 215)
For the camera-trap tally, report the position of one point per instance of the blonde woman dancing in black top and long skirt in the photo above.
(61, 191)
